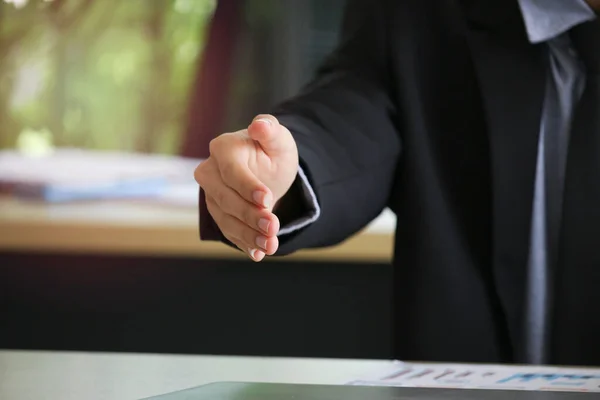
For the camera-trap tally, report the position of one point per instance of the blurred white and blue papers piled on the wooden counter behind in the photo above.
(73, 174)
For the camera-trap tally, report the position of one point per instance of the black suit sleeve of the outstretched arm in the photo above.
(344, 125)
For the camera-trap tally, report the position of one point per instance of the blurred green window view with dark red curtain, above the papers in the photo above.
(144, 75)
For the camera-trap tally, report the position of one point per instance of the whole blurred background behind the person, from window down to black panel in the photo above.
(106, 108)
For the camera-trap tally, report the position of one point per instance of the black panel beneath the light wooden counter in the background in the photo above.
(103, 303)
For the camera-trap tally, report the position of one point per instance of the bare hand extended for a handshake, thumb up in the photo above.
(247, 172)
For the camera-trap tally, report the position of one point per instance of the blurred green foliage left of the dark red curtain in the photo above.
(109, 74)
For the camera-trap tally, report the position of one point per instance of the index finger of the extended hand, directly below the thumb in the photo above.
(240, 178)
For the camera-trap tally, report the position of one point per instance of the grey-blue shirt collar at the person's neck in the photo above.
(547, 19)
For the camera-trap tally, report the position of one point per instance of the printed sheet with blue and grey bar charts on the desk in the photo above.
(479, 376)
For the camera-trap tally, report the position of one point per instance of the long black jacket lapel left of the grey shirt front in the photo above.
(511, 75)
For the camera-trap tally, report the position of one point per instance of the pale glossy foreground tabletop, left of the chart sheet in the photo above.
(26, 375)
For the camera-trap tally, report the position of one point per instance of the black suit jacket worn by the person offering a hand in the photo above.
(433, 109)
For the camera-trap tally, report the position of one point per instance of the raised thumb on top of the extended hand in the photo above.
(273, 137)
